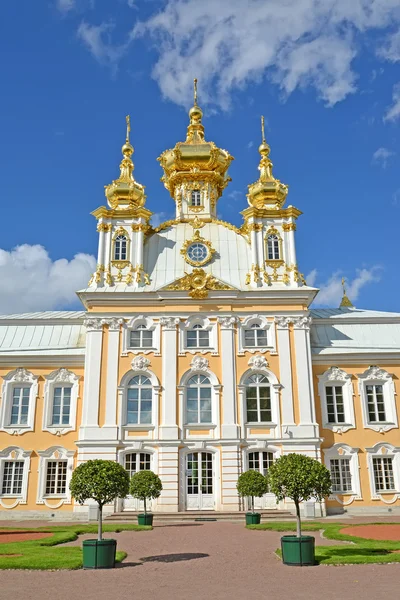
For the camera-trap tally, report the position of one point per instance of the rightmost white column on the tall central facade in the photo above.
(305, 388)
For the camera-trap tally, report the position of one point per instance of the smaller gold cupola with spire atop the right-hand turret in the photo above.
(267, 192)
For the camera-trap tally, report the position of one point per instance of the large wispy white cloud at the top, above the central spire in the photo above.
(227, 44)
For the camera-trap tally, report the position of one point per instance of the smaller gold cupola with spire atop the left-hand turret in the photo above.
(125, 193)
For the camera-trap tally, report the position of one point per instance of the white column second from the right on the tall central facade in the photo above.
(285, 371)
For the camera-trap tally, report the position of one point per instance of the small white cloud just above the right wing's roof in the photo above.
(331, 291)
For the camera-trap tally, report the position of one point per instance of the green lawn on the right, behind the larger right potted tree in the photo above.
(358, 551)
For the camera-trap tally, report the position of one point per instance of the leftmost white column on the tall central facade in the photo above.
(91, 394)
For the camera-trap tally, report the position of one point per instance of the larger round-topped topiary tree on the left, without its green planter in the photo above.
(101, 480)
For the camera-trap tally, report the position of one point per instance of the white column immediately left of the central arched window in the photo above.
(169, 428)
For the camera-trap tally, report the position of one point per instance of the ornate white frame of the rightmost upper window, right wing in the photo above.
(377, 376)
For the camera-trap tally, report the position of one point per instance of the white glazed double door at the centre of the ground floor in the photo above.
(199, 481)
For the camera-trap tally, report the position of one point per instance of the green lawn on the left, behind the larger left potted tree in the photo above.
(44, 553)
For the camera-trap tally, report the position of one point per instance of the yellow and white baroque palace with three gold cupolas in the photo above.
(196, 355)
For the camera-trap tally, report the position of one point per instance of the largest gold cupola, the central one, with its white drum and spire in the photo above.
(195, 164)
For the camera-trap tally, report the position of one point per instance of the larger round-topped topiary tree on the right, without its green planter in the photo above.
(300, 478)
